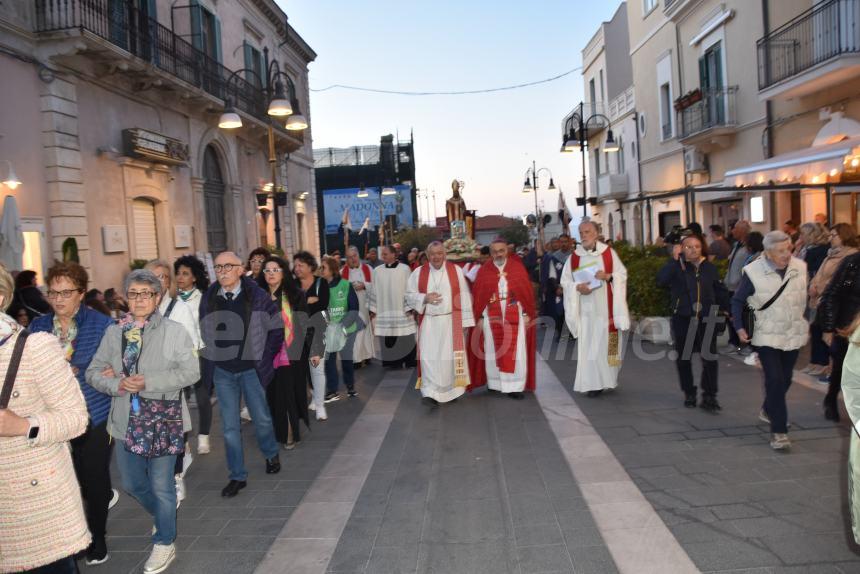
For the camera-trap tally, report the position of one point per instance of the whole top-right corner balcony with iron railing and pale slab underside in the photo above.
(816, 50)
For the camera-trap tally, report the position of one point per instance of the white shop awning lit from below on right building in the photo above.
(809, 165)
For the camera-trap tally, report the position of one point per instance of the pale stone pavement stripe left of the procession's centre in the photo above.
(308, 540)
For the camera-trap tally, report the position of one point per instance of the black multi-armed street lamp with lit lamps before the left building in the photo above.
(280, 105)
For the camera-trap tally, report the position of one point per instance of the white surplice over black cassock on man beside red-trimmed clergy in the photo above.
(393, 322)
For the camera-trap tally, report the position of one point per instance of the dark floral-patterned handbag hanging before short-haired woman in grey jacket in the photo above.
(155, 427)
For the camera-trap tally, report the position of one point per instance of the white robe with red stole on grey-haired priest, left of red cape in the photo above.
(443, 366)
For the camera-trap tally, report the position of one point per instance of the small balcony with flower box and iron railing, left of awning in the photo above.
(713, 114)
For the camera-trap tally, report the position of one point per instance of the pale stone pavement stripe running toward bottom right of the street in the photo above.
(637, 538)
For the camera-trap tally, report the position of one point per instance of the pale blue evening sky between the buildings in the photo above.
(486, 140)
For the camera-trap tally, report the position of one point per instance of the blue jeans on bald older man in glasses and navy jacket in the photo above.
(229, 388)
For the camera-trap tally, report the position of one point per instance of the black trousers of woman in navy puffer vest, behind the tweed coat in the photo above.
(91, 457)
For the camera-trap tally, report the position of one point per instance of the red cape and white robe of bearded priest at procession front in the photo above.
(504, 344)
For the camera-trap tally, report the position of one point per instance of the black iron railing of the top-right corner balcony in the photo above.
(828, 29)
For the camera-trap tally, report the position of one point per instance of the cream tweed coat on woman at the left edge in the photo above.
(41, 513)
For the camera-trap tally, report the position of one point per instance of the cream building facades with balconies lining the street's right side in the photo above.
(720, 139)
